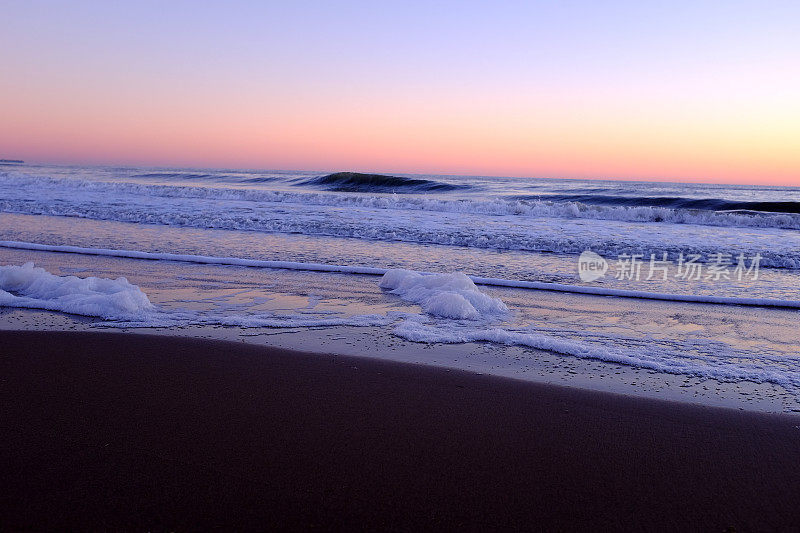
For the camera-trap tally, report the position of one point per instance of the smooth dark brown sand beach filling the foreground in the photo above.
(107, 431)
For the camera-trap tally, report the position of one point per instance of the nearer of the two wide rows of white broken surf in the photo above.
(540, 236)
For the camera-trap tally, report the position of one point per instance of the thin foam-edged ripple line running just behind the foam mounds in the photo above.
(376, 271)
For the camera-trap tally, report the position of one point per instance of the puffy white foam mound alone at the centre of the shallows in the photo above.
(444, 295)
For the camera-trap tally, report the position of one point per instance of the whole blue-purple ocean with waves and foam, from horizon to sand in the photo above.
(704, 280)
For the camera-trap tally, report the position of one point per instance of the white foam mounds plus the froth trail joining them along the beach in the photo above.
(457, 312)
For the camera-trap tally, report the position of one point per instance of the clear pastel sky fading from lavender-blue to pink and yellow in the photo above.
(676, 91)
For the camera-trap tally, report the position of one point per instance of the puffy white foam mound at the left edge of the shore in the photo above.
(32, 287)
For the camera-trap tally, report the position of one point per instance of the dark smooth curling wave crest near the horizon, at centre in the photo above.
(358, 182)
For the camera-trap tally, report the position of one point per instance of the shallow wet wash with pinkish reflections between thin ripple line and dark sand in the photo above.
(225, 291)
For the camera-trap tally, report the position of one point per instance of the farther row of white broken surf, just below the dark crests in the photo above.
(531, 207)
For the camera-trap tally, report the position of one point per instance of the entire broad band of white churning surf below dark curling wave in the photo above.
(523, 225)
